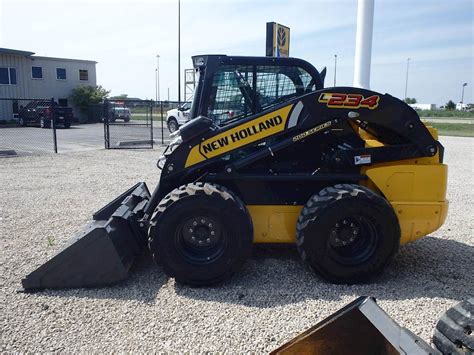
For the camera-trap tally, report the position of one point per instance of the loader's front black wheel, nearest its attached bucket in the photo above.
(200, 233)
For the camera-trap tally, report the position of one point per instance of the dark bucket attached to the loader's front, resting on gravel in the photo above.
(103, 251)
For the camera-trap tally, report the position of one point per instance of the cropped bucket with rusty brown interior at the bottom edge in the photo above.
(361, 327)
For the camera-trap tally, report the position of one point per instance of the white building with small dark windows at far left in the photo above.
(26, 76)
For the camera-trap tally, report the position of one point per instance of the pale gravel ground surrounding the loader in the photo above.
(46, 199)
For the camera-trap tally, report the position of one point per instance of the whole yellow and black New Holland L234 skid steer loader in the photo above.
(270, 156)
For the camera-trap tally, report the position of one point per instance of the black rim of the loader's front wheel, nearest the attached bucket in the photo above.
(200, 239)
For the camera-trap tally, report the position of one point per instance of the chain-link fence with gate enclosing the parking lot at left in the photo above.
(42, 126)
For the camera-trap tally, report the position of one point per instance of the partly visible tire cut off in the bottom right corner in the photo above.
(454, 331)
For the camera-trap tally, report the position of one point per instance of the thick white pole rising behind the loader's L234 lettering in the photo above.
(365, 24)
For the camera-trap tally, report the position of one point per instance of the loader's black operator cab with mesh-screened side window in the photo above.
(233, 88)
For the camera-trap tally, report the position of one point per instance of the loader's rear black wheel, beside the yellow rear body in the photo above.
(347, 233)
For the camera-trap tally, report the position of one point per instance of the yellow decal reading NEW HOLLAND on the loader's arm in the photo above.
(239, 136)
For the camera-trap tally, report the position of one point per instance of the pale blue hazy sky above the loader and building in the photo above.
(124, 37)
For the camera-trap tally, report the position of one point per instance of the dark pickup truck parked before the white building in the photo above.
(42, 113)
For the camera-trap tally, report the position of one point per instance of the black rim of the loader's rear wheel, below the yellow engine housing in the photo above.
(353, 240)
